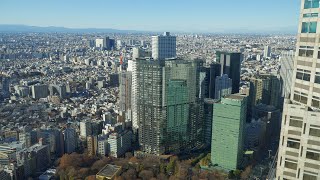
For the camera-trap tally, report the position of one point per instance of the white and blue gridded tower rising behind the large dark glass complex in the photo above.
(164, 46)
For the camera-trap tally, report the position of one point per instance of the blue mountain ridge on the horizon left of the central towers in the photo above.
(8, 28)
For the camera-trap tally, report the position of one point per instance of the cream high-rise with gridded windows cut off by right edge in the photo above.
(299, 147)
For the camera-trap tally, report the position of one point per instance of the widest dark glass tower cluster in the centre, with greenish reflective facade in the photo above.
(166, 104)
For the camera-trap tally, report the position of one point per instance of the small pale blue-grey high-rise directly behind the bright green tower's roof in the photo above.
(223, 86)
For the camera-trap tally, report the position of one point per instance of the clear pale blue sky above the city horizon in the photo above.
(155, 15)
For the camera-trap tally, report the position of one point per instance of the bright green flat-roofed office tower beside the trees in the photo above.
(228, 125)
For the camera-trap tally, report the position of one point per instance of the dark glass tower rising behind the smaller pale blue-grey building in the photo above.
(231, 65)
